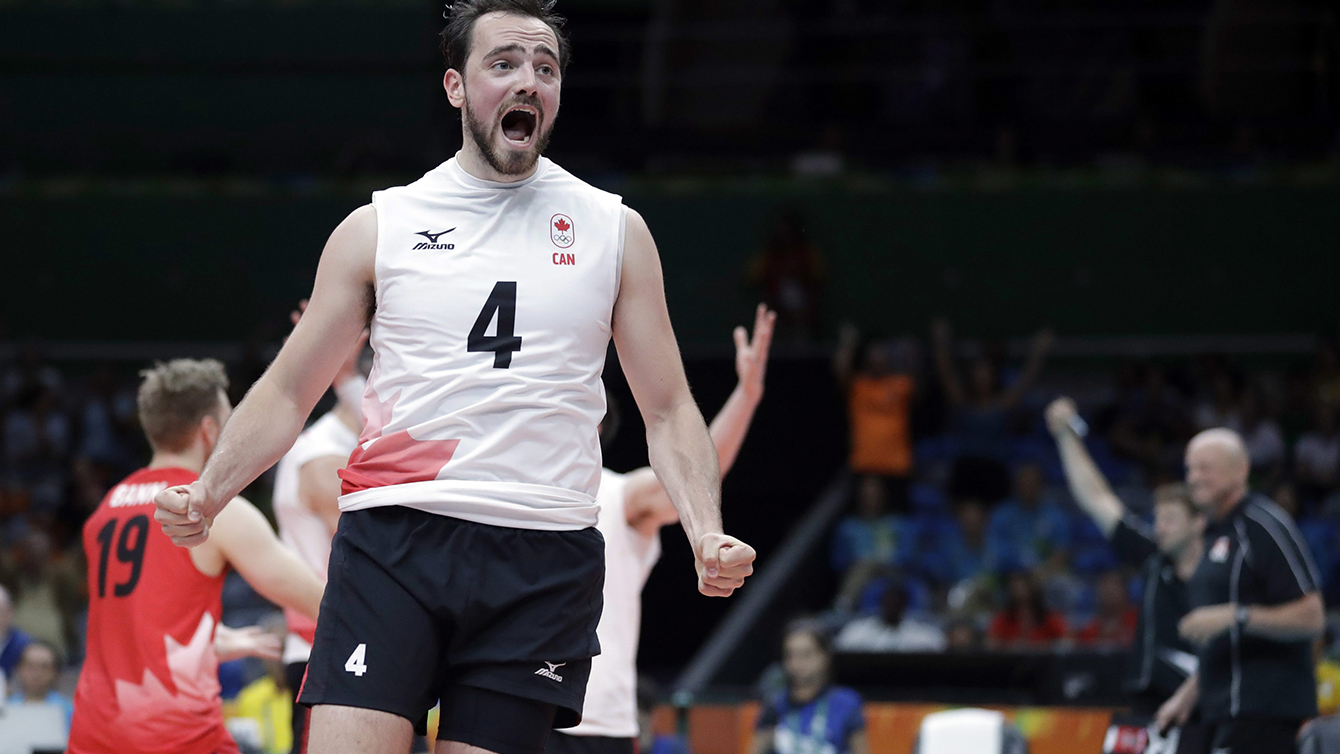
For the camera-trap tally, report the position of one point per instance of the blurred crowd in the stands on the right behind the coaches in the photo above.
(963, 534)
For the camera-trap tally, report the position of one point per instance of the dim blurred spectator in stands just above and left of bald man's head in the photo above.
(1150, 427)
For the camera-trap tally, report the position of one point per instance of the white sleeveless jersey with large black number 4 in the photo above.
(494, 317)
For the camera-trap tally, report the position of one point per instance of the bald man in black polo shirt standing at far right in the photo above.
(1256, 607)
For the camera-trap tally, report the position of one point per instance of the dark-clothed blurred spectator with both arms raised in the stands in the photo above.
(980, 416)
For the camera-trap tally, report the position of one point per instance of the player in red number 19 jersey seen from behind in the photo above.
(151, 680)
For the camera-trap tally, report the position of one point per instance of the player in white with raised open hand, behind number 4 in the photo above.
(634, 507)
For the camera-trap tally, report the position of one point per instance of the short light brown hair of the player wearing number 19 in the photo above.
(176, 397)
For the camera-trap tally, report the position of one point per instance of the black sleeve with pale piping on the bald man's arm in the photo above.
(1280, 556)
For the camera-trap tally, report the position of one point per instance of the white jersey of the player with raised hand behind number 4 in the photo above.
(612, 701)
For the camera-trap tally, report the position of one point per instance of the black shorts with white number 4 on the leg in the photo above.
(419, 603)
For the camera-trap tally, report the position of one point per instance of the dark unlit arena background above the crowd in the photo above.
(1109, 168)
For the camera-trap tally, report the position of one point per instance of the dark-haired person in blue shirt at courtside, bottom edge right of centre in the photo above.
(811, 714)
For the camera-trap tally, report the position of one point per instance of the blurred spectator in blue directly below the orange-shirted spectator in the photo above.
(870, 543)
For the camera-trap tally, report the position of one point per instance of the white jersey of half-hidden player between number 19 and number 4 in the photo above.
(299, 527)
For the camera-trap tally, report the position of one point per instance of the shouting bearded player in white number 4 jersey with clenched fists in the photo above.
(467, 567)
